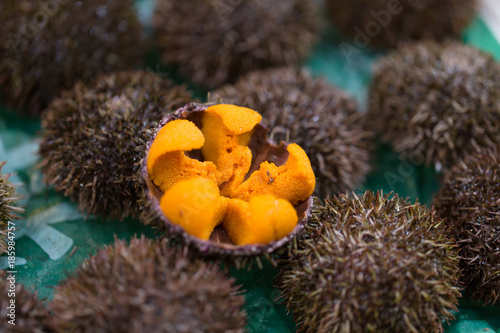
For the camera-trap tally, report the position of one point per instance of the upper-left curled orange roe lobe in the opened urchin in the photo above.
(167, 163)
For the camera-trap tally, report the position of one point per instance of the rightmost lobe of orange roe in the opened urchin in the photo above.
(294, 181)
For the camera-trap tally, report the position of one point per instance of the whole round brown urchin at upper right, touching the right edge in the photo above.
(437, 102)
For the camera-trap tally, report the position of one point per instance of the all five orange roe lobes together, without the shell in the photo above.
(198, 195)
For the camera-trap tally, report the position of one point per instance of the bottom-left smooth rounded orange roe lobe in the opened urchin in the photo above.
(195, 205)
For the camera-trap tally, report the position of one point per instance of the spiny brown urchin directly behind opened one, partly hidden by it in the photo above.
(313, 113)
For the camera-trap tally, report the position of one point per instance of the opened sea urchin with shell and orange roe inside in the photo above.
(214, 181)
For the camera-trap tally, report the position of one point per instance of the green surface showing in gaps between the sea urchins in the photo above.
(51, 217)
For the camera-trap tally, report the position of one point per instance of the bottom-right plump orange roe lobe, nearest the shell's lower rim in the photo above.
(260, 221)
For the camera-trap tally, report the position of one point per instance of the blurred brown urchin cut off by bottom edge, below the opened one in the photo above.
(147, 287)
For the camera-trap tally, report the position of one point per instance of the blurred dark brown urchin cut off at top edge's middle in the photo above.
(215, 42)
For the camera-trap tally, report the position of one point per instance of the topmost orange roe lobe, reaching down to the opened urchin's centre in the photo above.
(227, 130)
